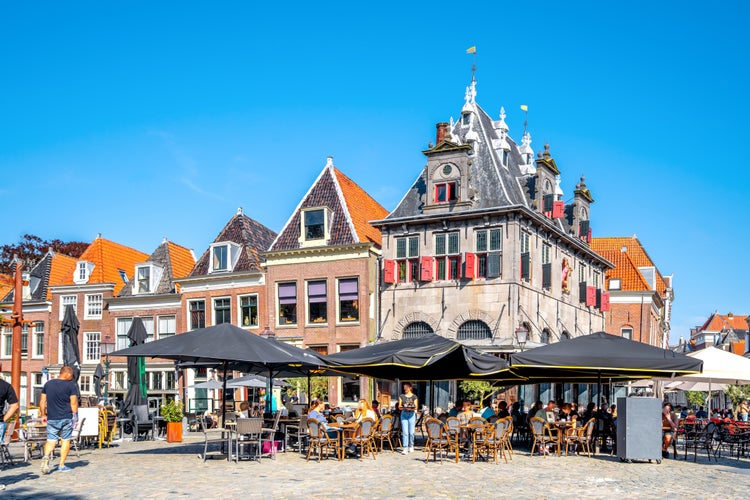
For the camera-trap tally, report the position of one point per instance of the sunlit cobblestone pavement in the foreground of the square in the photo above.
(157, 469)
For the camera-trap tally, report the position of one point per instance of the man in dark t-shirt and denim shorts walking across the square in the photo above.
(59, 406)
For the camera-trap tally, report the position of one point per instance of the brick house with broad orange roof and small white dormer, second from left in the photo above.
(99, 274)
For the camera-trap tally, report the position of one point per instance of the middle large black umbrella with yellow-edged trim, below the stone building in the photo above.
(428, 357)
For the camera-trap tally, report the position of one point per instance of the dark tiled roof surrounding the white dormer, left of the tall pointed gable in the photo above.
(251, 235)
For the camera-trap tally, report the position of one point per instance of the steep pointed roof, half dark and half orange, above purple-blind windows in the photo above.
(351, 210)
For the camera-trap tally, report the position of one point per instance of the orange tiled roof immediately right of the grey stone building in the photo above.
(608, 247)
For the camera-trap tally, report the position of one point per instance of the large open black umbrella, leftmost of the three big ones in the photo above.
(232, 347)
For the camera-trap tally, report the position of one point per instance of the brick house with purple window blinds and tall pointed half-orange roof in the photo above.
(322, 273)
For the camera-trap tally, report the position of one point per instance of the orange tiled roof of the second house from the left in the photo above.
(110, 259)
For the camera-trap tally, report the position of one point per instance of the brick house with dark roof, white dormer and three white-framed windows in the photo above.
(226, 285)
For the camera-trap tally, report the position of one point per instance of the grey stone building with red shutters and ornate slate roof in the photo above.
(483, 244)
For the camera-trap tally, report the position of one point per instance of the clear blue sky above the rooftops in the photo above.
(140, 120)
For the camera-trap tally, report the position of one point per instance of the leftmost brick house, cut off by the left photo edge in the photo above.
(36, 338)
